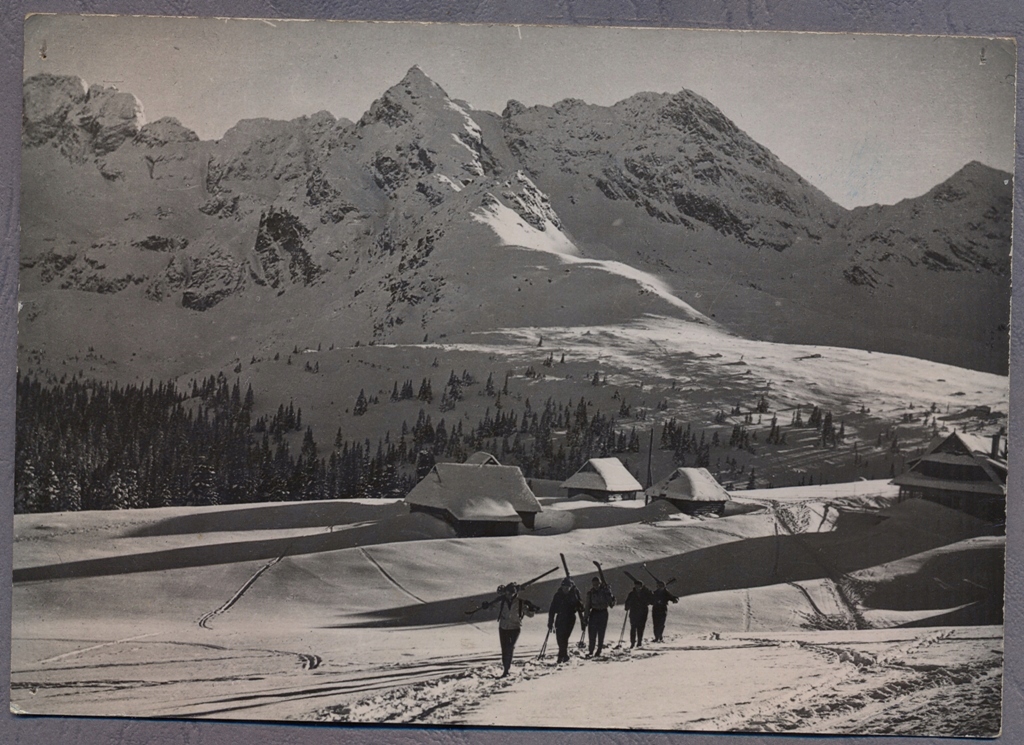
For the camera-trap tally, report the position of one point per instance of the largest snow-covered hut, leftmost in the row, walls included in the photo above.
(477, 500)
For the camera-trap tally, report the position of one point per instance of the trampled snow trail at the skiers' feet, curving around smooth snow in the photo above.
(854, 683)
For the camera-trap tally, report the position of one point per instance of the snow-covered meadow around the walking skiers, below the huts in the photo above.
(828, 609)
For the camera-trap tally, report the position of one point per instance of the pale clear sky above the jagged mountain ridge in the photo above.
(868, 119)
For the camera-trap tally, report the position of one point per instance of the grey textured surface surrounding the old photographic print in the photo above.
(976, 18)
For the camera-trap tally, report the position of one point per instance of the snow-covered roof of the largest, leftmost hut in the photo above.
(473, 492)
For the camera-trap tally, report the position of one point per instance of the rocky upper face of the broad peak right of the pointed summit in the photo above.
(676, 157)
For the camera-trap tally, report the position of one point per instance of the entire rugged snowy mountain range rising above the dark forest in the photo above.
(428, 217)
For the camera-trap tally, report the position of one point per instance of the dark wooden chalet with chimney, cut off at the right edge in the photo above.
(964, 472)
